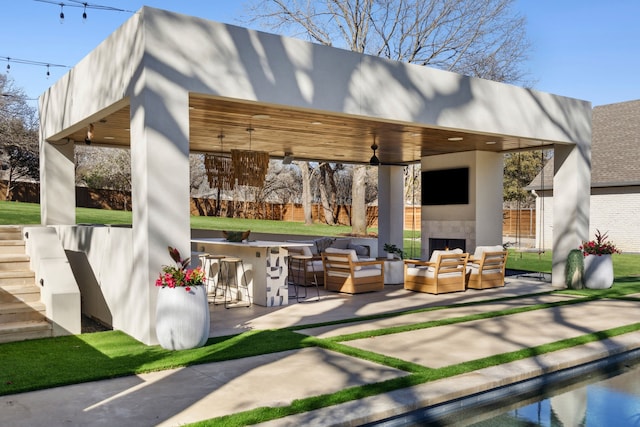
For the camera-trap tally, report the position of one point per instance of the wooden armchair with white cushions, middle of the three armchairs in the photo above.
(446, 274)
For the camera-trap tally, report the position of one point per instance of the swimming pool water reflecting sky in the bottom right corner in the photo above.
(601, 393)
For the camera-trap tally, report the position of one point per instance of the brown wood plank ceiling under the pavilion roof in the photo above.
(307, 135)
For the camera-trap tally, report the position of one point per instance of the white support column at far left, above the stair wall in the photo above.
(57, 183)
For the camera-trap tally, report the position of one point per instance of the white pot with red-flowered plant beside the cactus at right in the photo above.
(598, 265)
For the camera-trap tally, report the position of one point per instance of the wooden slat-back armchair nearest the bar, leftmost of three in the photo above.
(343, 272)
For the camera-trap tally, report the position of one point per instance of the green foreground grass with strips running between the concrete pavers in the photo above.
(46, 363)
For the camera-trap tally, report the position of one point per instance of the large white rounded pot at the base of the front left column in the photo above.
(182, 318)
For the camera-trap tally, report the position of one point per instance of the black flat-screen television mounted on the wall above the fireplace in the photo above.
(445, 187)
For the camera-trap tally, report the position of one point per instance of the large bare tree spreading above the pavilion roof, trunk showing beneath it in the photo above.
(480, 38)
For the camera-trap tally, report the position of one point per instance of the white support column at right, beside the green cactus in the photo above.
(571, 199)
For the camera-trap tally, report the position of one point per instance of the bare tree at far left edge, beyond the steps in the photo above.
(18, 136)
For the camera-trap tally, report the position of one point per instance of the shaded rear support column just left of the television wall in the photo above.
(390, 206)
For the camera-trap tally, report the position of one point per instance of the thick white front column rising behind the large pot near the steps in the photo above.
(160, 195)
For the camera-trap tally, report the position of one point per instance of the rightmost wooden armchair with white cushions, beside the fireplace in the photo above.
(487, 267)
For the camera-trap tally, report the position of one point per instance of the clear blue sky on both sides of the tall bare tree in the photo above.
(585, 49)
